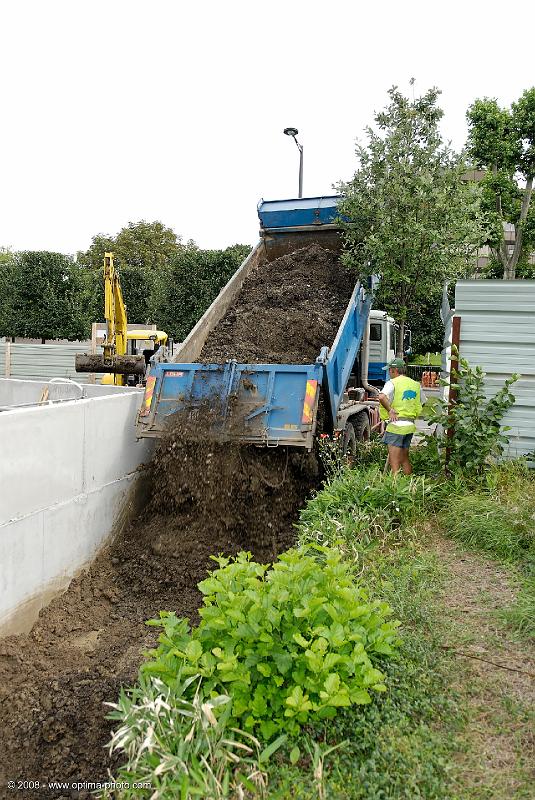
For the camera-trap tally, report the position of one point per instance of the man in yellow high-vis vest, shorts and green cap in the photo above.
(401, 401)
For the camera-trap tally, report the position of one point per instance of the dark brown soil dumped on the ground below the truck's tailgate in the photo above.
(206, 499)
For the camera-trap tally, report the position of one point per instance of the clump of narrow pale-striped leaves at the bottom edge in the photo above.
(176, 745)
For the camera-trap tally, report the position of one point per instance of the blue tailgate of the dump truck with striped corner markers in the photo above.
(264, 404)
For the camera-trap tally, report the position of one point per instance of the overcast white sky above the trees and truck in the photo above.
(120, 110)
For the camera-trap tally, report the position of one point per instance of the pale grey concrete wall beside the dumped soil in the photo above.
(67, 472)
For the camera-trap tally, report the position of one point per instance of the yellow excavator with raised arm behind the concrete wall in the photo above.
(120, 362)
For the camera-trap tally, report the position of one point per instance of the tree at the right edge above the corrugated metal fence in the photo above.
(502, 142)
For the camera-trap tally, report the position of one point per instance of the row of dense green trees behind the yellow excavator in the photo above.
(52, 296)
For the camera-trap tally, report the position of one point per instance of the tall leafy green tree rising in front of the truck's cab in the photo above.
(411, 218)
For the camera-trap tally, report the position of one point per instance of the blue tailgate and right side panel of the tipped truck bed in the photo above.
(264, 404)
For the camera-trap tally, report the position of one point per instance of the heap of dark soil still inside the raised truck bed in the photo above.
(286, 312)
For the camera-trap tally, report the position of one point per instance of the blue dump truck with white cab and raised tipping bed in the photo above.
(277, 404)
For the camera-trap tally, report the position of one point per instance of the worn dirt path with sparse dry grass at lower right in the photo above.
(495, 675)
